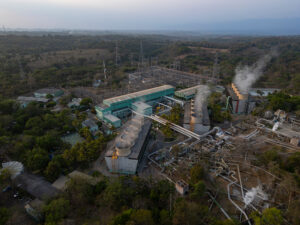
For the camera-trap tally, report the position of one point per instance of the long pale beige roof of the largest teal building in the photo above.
(136, 94)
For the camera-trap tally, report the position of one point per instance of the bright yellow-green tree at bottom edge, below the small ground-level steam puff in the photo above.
(270, 216)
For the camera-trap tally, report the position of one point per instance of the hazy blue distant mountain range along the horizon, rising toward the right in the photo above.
(290, 26)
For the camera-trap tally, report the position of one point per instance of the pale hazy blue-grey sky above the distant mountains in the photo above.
(138, 14)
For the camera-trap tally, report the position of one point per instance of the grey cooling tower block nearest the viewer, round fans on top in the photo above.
(124, 155)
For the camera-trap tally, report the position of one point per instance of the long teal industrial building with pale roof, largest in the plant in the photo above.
(113, 109)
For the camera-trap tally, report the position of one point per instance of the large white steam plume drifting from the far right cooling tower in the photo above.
(246, 76)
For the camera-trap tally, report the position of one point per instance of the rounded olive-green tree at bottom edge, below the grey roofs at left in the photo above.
(56, 210)
